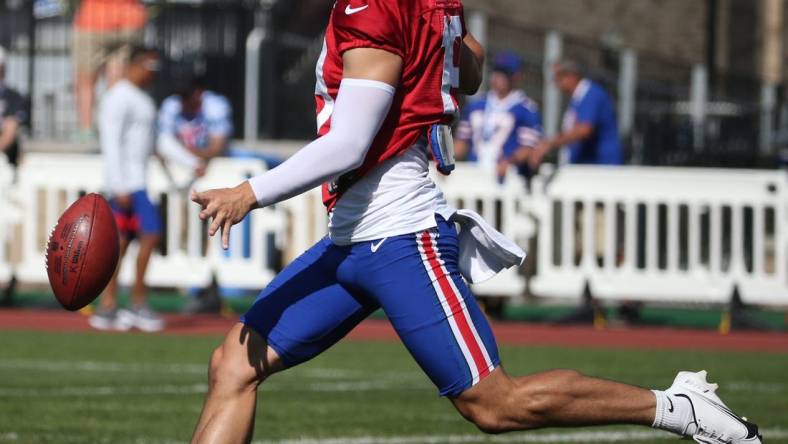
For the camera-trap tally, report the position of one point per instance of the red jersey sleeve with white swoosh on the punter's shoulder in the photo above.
(369, 24)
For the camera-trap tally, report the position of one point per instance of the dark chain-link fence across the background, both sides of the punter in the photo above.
(209, 36)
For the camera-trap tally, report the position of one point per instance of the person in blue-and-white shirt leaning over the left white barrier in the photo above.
(195, 119)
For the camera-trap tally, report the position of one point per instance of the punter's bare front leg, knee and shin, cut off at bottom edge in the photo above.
(237, 368)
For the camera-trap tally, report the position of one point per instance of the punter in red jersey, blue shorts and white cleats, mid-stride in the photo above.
(387, 81)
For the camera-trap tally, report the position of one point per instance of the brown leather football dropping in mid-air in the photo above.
(82, 252)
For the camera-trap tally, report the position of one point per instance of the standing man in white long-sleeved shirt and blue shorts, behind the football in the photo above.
(126, 122)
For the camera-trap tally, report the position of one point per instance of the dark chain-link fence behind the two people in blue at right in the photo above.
(663, 132)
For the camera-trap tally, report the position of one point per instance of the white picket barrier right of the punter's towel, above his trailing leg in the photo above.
(662, 234)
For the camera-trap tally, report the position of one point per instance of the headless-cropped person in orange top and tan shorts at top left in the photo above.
(104, 30)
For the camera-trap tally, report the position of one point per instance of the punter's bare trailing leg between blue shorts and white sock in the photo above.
(501, 403)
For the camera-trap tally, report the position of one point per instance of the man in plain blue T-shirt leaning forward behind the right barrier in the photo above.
(589, 130)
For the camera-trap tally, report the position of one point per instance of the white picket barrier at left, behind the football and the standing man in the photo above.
(49, 183)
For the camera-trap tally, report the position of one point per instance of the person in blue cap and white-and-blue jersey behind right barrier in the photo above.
(495, 127)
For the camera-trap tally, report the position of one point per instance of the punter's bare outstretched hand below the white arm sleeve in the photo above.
(225, 207)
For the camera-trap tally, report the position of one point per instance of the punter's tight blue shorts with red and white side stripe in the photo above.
(327, 291)
